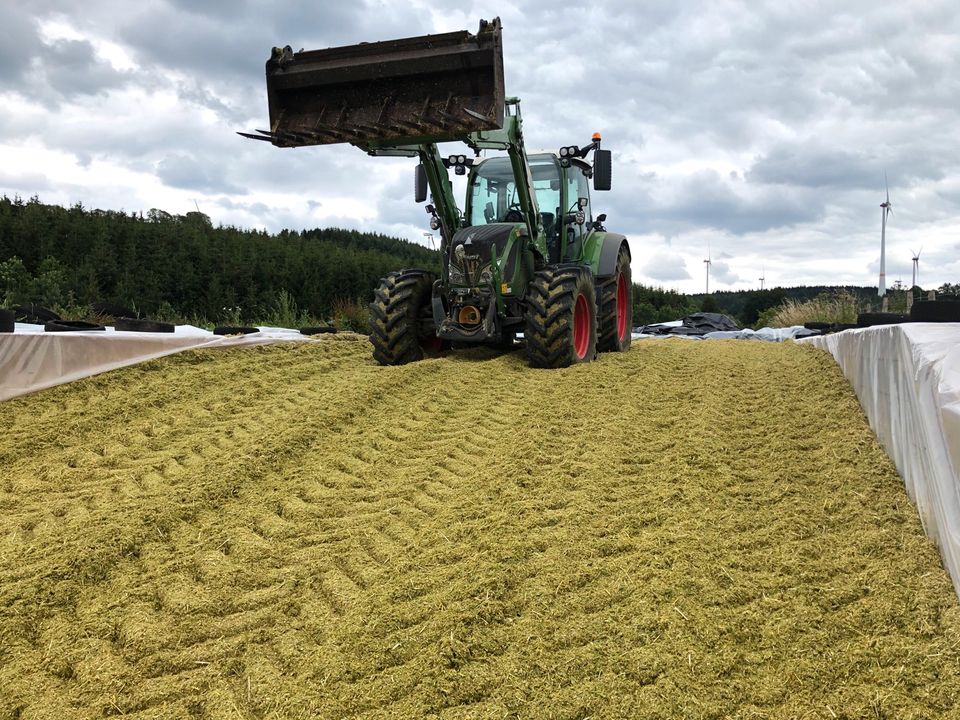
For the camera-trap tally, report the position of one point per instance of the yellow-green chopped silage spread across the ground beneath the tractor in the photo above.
(697, 530)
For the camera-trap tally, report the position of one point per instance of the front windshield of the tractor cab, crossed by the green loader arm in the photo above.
(493, 197)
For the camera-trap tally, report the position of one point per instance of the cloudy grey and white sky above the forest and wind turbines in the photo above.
(761, 132)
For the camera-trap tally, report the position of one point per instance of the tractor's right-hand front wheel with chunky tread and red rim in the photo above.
(561, 317)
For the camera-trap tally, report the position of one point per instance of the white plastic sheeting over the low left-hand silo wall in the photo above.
(31, 359)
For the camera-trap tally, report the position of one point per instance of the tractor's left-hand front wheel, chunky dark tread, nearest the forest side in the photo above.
(401, 318)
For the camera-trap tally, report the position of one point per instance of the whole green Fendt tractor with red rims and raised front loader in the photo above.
(526, 255)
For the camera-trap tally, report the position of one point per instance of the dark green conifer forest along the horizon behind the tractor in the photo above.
(181, 266)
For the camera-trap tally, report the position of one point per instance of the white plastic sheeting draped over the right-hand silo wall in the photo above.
(907, 378)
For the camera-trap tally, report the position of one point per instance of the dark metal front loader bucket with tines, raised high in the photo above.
(430, 88)
